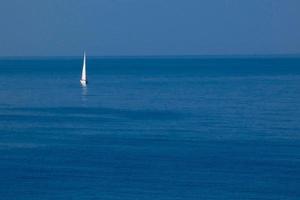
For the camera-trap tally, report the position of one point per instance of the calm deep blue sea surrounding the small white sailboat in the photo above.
(150, 128)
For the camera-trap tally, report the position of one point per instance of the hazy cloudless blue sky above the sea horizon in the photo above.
(149, 27)
